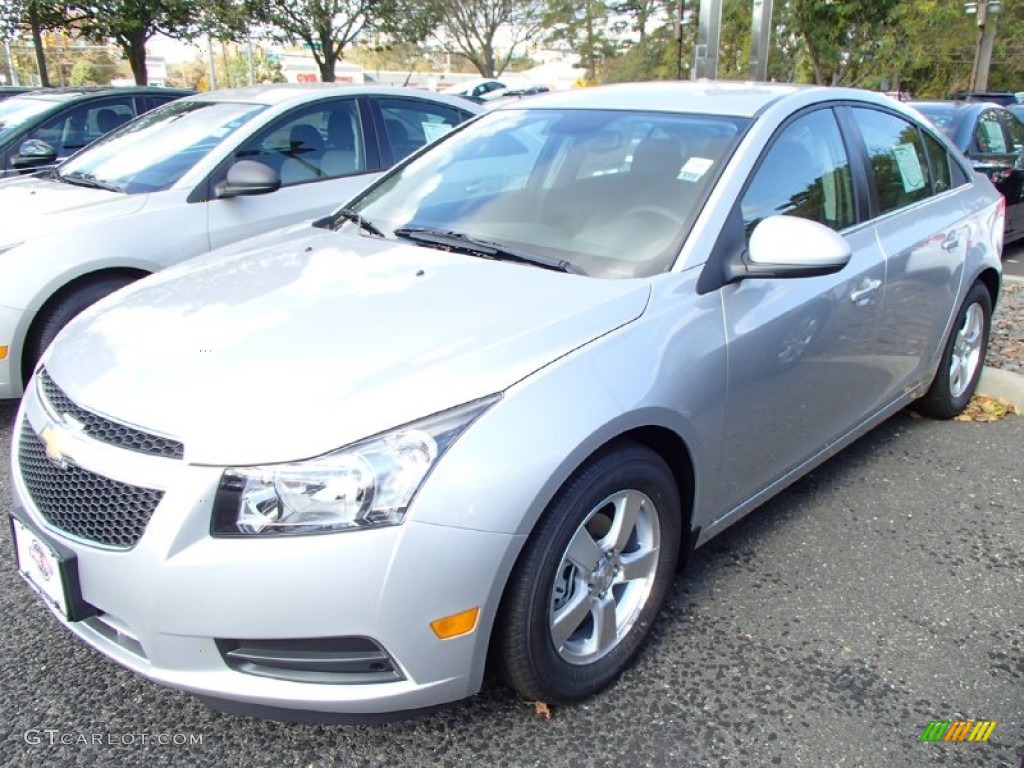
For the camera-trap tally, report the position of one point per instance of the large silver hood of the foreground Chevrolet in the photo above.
(311, 344)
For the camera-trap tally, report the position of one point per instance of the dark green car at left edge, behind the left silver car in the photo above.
(46, 126)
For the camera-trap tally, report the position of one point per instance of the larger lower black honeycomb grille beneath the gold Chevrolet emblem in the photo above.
(82, 503)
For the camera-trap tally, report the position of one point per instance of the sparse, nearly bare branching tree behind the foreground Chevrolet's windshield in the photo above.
(470, 28)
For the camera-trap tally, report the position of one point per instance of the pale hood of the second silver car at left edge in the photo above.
(34, 206)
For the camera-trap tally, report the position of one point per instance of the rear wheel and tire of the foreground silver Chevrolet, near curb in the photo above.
(963, 358)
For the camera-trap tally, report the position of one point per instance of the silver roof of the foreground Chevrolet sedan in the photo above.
(703, 98)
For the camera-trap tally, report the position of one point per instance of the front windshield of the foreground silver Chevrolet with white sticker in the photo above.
(610, 194)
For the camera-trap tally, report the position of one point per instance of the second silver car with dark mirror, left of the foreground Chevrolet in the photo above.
(194, 176)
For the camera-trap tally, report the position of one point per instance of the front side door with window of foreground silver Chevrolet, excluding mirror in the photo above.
(801, 370)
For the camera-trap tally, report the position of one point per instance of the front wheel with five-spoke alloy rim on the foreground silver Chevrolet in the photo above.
(569, 626)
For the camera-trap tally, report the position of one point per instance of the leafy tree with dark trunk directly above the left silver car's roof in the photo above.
(328, 27)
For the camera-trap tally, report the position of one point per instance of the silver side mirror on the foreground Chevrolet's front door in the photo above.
(790, 247)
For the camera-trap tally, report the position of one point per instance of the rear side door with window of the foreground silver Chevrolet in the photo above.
(923, 231)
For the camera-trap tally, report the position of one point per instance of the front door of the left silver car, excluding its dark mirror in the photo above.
(324, 157)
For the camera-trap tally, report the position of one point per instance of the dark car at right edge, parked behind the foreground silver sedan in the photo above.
(993, 138)
